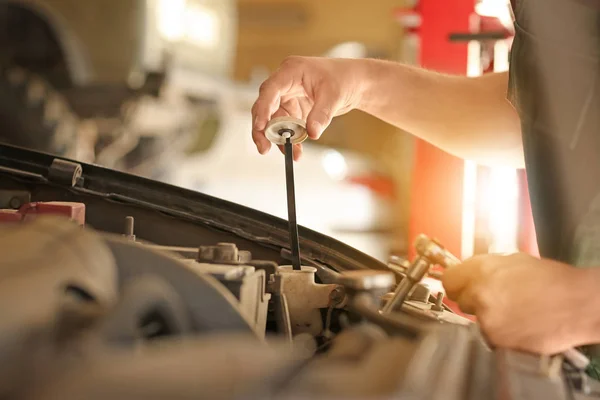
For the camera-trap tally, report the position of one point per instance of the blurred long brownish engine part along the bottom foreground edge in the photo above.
(216, 367)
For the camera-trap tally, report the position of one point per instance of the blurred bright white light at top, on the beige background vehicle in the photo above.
(188, 21)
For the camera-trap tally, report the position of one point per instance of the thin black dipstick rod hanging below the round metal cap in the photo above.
(291, 198)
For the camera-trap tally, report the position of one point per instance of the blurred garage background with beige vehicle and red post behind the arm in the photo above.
(163, 89)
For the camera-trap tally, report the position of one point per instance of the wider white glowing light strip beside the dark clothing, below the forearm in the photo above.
(503, 201)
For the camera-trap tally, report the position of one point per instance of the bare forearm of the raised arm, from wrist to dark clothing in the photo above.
(467, 117)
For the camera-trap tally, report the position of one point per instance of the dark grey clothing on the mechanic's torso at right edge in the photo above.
(555, 66)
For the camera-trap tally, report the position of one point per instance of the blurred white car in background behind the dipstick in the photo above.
(331, 194)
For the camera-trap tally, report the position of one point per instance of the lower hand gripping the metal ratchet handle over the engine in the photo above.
(522, 302)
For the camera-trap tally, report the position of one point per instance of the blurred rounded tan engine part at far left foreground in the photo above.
(41, 279)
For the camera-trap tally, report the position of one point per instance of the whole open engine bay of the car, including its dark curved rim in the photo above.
(116, 286)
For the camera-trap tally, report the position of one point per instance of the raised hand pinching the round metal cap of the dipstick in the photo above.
(308, 88)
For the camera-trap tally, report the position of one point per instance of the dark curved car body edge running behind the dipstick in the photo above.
(166, 214)
